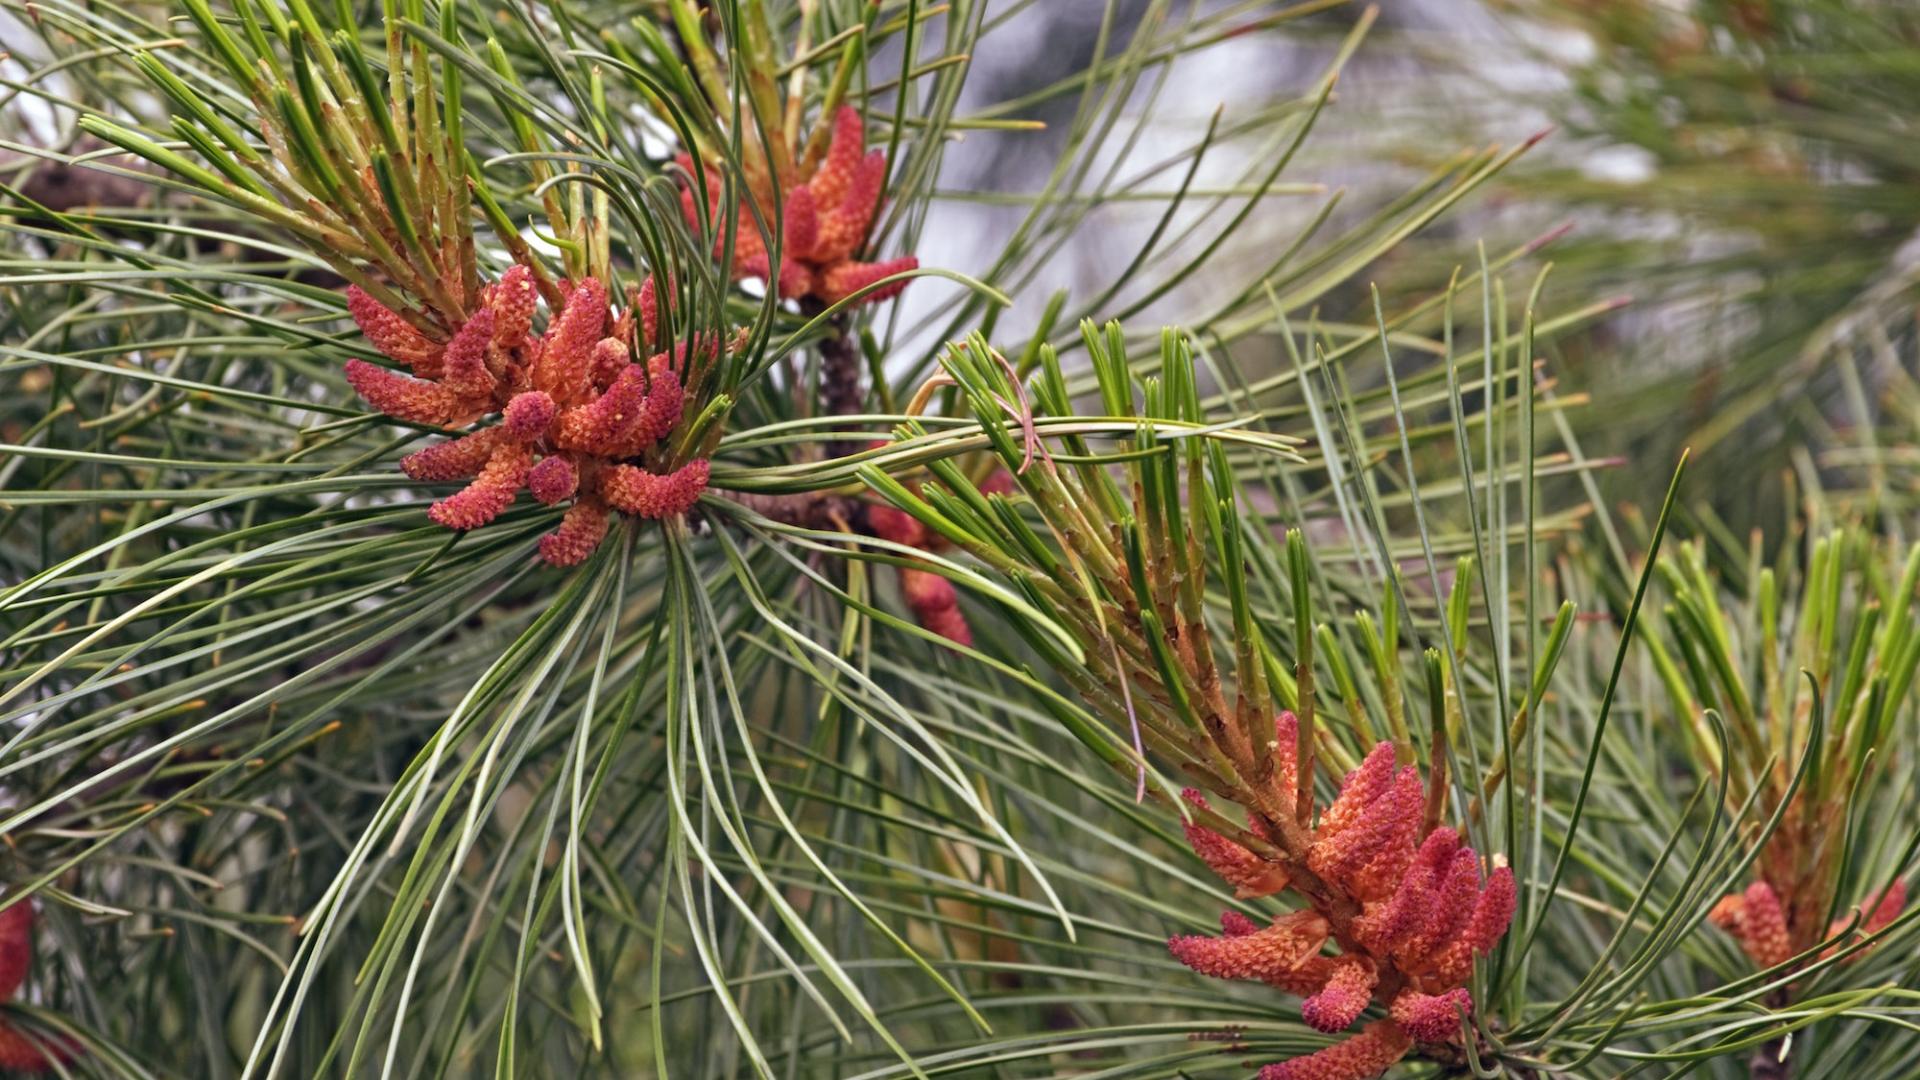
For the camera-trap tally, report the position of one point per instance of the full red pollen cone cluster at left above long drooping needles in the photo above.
(573, 406)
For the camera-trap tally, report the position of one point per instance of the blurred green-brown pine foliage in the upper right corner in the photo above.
(1746, 172)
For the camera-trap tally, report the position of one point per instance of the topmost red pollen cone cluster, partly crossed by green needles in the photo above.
(823, 224)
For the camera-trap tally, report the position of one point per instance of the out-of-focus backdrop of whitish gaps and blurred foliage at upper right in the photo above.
(1742, 174)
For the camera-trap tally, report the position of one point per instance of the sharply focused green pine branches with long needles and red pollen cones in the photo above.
(571, 539)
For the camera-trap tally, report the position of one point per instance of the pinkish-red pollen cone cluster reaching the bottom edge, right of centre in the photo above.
(1424, 916)
